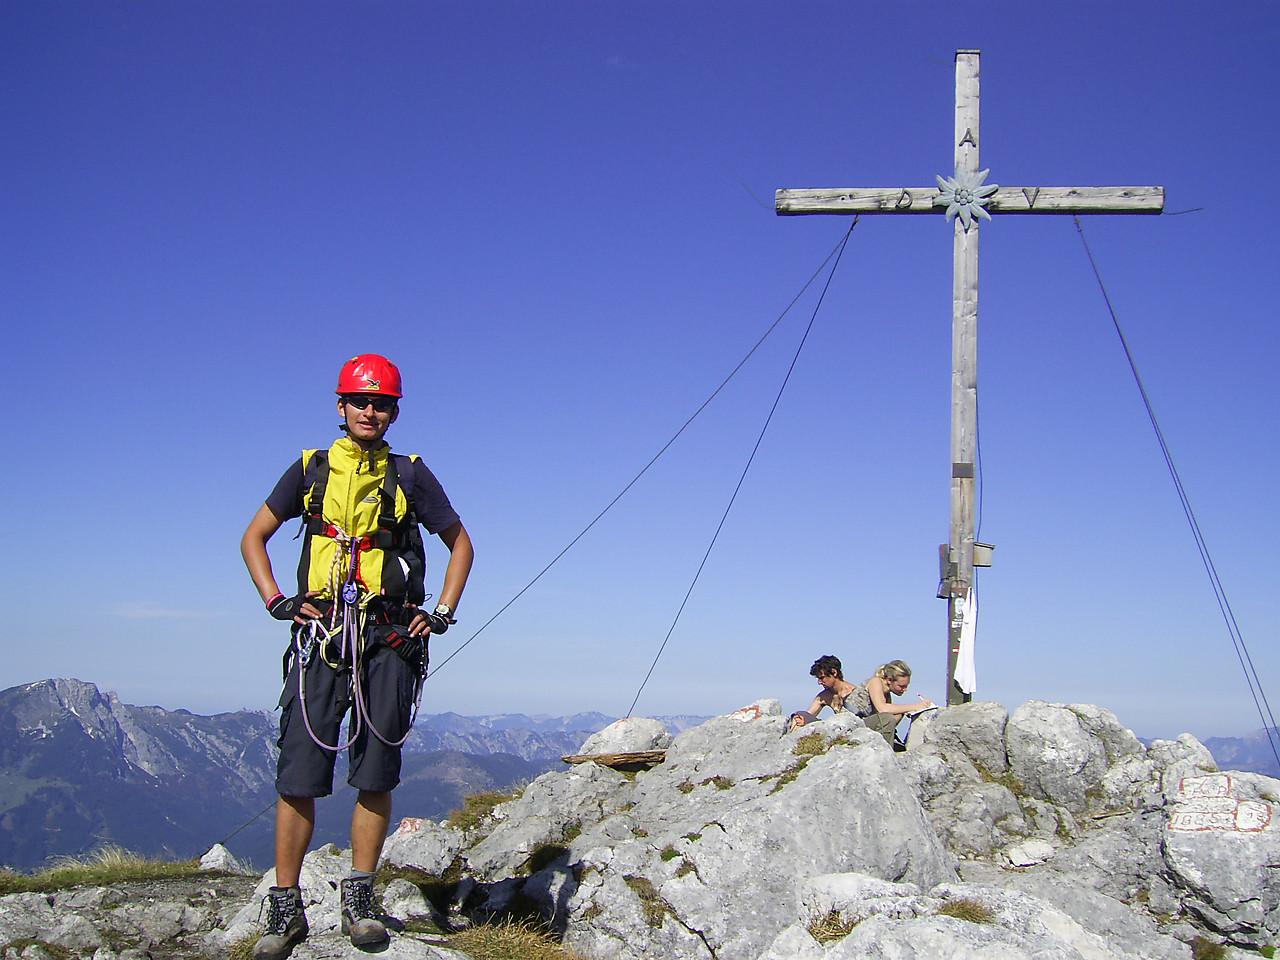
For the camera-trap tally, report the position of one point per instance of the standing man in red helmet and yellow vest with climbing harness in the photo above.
(359, 637)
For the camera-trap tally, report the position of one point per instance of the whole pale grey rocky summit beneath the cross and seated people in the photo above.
(1050, 833)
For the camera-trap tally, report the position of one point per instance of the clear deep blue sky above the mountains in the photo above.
(557, 220)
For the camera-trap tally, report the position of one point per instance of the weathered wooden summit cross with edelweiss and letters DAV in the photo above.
(964, 199)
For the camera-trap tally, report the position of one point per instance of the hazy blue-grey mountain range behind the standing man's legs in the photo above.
(80, 769)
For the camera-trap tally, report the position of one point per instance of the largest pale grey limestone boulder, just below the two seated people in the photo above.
(738, 811)
